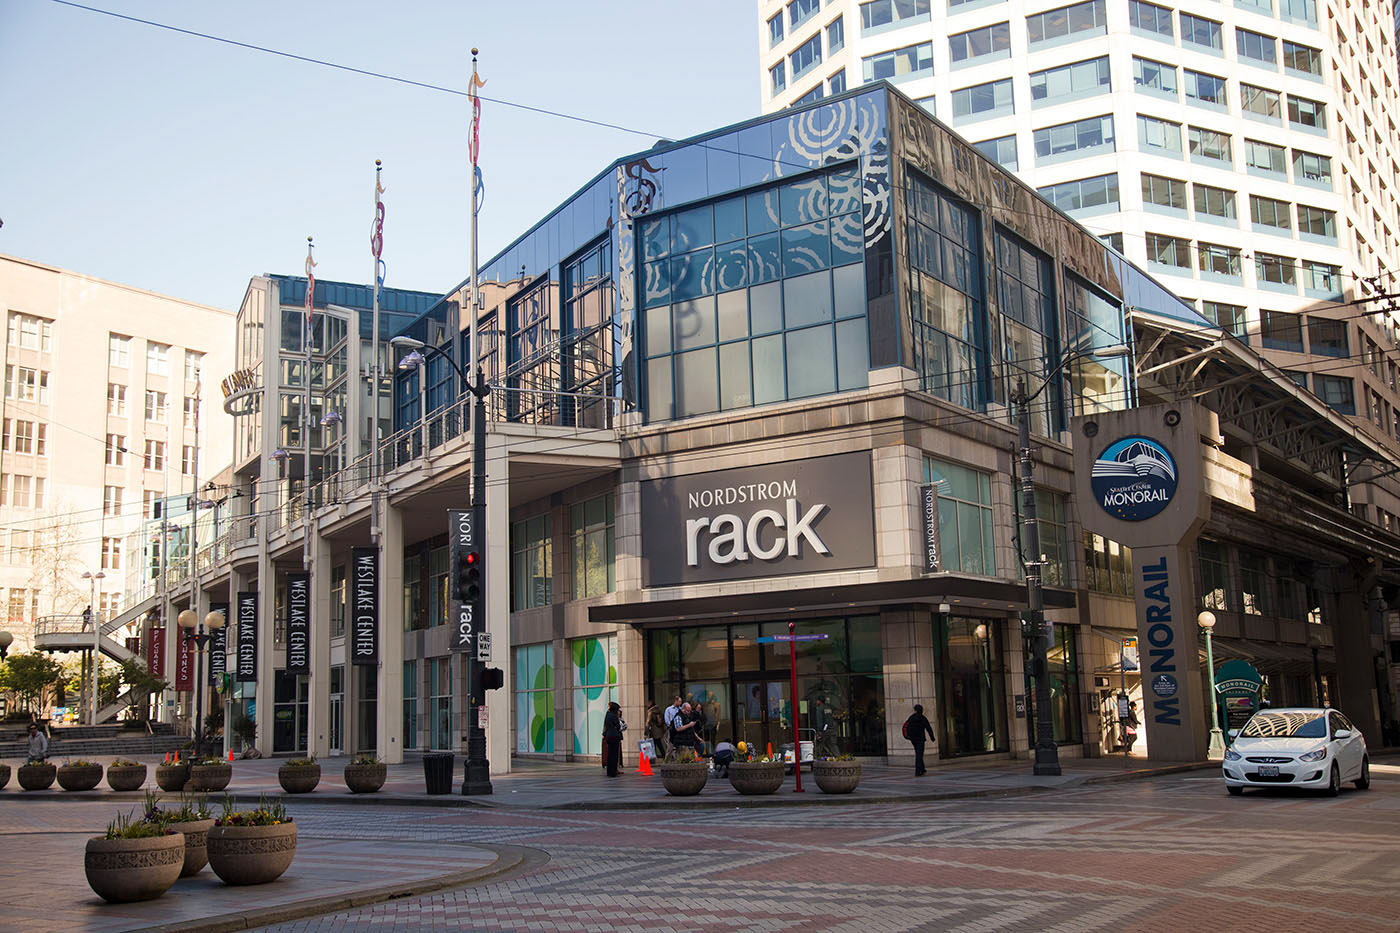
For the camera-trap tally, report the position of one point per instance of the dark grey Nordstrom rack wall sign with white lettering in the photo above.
(804, 516)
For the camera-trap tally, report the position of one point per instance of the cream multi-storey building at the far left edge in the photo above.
(103, 389)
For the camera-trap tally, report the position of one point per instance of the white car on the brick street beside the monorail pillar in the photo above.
(1315, 749)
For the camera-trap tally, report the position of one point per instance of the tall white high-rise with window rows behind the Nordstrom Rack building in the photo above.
(1244, 153)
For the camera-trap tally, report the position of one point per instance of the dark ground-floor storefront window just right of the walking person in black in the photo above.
(972, 690)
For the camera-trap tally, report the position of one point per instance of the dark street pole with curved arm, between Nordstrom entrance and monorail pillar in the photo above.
(1046, 752)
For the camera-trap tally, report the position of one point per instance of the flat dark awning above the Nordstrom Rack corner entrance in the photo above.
(962, 593)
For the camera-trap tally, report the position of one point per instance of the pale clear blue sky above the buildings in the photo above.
(185, 166)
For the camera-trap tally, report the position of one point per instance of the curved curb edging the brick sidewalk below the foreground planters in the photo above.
(509, 859)
